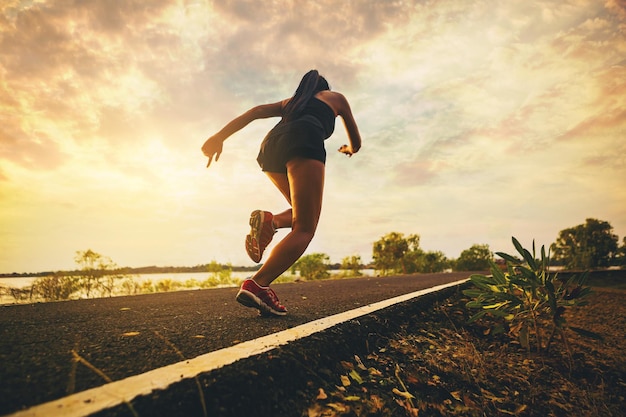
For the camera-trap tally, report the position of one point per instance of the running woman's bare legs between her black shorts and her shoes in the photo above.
(305, 180)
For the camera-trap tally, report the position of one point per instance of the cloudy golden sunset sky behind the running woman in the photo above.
(481, 120)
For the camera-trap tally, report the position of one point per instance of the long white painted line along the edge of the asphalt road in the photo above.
(125, 390)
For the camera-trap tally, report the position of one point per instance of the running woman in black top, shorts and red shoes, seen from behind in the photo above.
(293, 156)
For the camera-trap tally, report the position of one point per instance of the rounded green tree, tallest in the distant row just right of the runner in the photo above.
(393, 253)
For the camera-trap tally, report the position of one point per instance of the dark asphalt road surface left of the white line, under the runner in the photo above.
(125, 336)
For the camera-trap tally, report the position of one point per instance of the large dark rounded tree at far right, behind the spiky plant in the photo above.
(586, 246)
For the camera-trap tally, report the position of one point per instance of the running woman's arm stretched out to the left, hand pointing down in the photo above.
(213, 145)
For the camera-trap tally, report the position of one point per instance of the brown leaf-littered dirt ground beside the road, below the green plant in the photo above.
(438, 365)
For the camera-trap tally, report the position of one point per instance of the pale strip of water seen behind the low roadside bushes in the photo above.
(180, 280)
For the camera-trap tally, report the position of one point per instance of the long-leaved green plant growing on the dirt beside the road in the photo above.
(527, 298)
